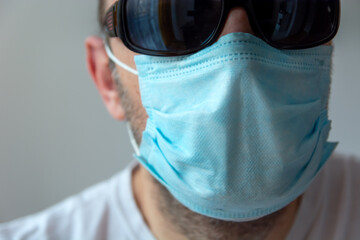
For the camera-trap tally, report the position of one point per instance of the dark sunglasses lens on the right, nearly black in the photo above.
(296, 23)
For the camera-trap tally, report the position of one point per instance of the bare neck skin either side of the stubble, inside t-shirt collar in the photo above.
(161, 225)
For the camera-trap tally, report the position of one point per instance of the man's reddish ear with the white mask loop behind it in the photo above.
(98, 67)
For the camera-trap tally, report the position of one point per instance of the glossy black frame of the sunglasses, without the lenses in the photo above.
(115, 26)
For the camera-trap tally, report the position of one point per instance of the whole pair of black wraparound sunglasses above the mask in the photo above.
(180, 27)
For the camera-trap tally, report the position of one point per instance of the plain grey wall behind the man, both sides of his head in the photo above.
(56, 137)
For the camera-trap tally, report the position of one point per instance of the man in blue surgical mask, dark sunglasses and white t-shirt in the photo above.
(232, 128)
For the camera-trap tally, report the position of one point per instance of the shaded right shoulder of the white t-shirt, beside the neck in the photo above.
(332, 200)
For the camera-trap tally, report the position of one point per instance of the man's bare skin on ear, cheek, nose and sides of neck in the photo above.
(143, 186)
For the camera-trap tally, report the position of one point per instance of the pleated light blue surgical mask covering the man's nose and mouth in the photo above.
(238, 130)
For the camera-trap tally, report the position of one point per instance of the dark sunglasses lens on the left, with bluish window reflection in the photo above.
(171, 26)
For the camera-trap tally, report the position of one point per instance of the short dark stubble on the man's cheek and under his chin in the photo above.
(191, 225)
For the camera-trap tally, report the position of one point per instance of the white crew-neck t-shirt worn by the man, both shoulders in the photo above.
(330, 209)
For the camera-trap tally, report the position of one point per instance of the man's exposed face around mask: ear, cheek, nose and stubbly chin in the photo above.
(120, 92)
